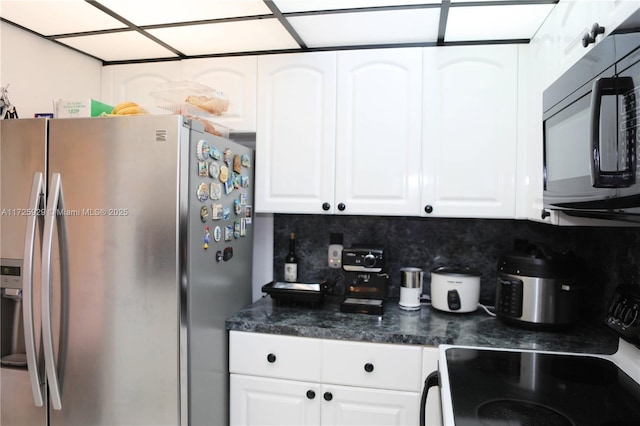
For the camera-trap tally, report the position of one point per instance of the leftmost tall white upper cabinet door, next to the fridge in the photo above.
(295, 141)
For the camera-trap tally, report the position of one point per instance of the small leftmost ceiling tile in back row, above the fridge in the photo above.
(121, 46)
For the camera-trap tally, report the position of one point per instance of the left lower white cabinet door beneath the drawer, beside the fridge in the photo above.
(262, 401)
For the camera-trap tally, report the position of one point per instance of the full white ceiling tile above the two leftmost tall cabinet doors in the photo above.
(362, 28)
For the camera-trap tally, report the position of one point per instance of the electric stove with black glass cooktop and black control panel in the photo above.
(488, 386)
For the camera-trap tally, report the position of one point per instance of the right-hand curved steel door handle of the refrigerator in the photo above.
(54, 205)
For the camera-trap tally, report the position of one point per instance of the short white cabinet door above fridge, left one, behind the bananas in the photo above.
(134, 82)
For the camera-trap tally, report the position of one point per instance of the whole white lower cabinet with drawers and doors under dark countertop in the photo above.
(357, 383)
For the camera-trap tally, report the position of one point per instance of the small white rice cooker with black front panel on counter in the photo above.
(455, 289)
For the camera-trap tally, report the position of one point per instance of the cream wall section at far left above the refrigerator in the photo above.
(38, 70)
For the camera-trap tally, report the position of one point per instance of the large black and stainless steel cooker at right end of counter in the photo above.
(538, 288)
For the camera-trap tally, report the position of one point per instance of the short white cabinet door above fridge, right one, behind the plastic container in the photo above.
(236, 78)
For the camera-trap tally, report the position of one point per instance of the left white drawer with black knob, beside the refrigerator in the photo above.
(268, 355)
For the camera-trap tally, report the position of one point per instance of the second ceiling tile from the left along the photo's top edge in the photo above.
(171, 11)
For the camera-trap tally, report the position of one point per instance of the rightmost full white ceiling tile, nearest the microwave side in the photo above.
(495, 22)
